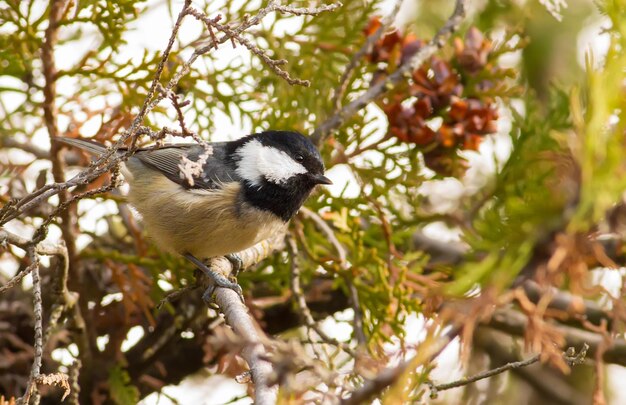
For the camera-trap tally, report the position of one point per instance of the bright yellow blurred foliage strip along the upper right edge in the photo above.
(602, 127)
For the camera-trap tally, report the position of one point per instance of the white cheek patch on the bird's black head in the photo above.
(258, 162)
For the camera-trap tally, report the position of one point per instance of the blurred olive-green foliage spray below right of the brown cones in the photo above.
(524, 207)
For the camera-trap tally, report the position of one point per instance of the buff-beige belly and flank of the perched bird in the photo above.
(203, 223)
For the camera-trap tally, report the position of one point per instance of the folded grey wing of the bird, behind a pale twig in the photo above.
(177, 163)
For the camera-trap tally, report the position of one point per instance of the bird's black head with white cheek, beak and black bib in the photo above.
(279, 169)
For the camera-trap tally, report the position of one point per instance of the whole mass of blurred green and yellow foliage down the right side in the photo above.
(566, 170)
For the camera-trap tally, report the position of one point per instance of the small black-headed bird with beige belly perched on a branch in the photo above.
(219, 198)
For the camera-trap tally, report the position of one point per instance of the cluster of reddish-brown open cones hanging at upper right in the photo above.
(448, 104)
